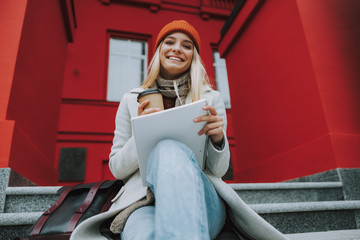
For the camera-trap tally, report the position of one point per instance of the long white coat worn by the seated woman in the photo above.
(124, 165)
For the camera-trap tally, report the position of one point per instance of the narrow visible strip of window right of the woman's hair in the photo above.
(222, 83)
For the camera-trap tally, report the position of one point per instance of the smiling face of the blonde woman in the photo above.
(176, 54)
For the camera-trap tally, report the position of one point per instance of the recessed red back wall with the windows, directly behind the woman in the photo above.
(86, 119)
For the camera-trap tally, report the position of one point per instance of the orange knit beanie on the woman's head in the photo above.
(179, 26)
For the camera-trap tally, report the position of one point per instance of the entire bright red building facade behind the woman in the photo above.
(291, 69)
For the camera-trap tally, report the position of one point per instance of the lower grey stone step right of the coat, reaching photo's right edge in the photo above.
(311, 216)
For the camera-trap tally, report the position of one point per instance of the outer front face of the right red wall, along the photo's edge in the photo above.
(333, 35)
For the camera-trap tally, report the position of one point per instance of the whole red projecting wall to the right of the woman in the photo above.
(293, 87)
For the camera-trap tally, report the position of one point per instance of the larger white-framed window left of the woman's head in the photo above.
(127, 66)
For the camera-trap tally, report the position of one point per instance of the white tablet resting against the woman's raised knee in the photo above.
(175, 123)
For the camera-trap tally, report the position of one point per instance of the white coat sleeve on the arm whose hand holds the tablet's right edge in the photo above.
(217, 161)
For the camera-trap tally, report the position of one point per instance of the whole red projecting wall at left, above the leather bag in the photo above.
(34, 37)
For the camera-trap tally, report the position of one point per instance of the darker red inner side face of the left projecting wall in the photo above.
(36, 85)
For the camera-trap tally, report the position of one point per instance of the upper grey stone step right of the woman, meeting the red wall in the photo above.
(289, 192)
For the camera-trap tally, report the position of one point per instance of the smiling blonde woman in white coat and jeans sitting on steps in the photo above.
(181, 201)
